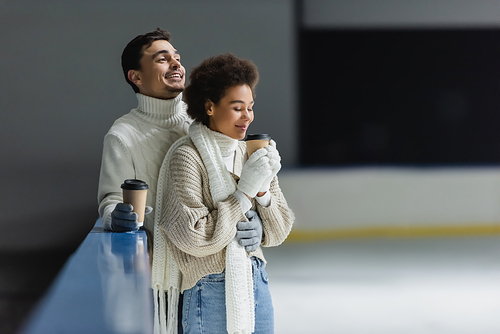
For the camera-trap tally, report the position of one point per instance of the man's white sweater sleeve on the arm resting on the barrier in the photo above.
(116, 167)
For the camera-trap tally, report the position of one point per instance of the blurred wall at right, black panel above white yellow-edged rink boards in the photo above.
(398, 118)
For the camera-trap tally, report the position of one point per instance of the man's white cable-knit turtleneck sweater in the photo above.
(135, 146)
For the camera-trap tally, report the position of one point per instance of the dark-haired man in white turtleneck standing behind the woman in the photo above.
(136, 144)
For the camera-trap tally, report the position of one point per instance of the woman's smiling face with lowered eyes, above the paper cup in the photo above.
(233, 113)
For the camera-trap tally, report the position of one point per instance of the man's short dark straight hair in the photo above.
(133, 52)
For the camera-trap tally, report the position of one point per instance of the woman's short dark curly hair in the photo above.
(211, 79)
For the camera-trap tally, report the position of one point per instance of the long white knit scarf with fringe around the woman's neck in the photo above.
(239, 285)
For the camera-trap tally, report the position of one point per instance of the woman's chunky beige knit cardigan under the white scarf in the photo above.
(198, 230)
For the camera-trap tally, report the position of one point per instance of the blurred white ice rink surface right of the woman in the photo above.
(387, 286)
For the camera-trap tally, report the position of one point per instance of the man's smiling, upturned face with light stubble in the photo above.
(161, 74)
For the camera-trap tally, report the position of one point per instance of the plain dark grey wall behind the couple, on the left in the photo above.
(63, 88)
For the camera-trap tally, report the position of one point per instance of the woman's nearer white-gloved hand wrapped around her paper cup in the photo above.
(255, 171)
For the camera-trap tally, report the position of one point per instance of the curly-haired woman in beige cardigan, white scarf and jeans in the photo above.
(206, 186)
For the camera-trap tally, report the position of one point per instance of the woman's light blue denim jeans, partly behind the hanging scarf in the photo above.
(204, 305)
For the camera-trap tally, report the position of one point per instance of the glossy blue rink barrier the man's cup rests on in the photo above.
(104, 287)
